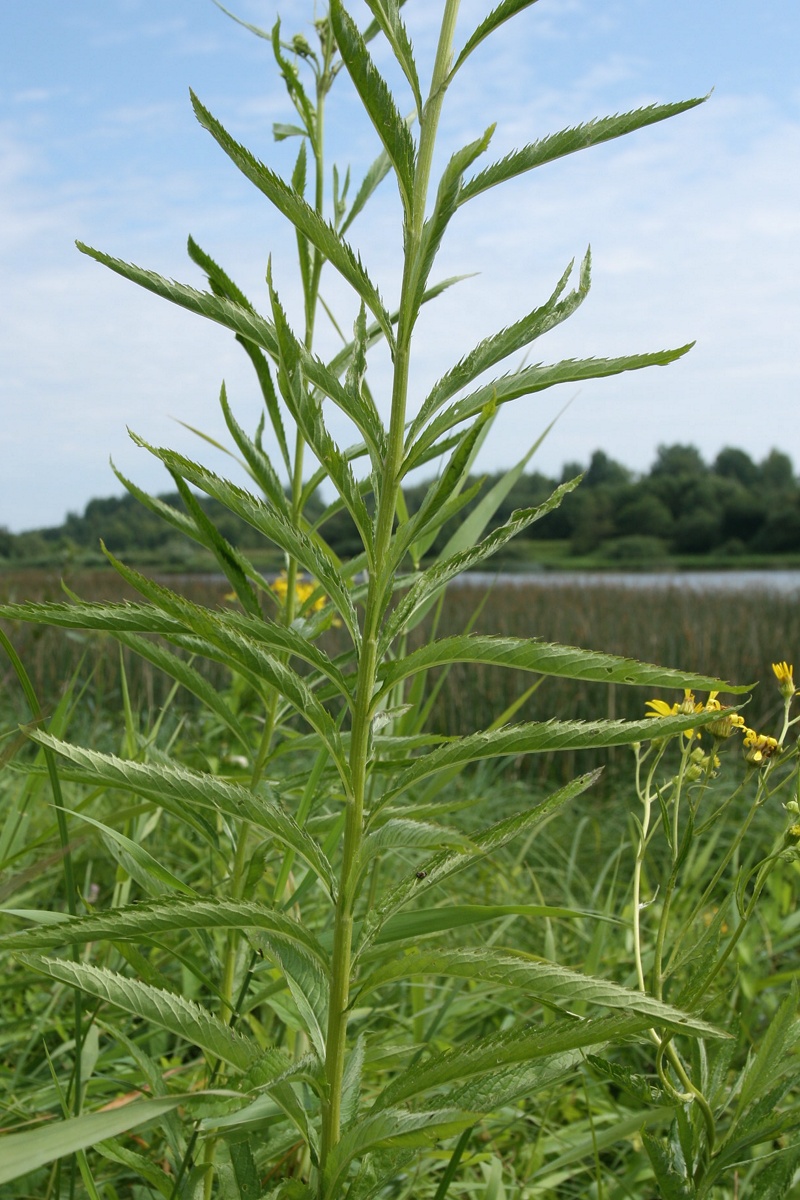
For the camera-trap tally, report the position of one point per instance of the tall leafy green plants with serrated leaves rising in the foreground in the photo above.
(318, 899)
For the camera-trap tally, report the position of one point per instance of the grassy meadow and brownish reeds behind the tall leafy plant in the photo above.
(563, 895)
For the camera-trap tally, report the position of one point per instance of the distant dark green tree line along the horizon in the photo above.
(683, 506)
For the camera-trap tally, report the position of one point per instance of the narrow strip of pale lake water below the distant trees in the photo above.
(786, 583)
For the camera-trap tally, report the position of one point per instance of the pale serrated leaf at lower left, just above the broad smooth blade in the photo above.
(183, 1018)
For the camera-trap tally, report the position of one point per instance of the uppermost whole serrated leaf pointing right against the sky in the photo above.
(580, 137)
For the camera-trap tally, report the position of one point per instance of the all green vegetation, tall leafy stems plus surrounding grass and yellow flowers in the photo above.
(287, 939)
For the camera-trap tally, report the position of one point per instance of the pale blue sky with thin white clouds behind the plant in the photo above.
(694, 225)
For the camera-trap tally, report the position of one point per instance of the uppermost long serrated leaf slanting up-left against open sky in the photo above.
(303, 217)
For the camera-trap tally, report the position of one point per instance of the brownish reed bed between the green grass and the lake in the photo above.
(733, 635)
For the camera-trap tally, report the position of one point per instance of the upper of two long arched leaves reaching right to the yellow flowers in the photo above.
(550, 659)
